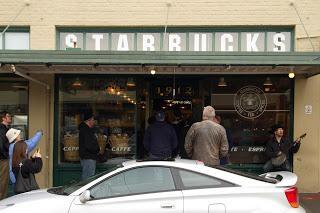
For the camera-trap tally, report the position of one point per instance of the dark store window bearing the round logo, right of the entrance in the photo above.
(248, 107)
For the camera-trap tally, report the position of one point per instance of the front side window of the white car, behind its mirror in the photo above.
(135, 181)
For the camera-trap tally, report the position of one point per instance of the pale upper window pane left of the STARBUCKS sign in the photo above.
(16, 41)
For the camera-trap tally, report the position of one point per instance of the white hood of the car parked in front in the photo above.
(36, 201)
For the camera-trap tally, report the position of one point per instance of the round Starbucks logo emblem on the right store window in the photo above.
(250, 102)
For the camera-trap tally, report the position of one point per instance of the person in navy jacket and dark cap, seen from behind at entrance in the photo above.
(160, 139)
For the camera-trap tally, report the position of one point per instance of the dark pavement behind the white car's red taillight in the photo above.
(310, 202)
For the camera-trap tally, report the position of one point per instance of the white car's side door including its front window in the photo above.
(143, 189)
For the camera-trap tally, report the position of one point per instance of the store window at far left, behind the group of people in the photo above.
(14, 99)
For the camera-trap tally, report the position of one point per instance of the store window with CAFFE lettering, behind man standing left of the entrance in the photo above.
(113, 102)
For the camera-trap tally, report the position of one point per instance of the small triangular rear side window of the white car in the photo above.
(192, 180)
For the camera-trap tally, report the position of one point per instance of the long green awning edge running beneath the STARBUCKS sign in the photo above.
(80, 57)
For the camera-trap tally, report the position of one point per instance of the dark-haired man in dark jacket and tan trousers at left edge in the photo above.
(6, 120)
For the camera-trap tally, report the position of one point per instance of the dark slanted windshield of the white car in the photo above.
(68, 189)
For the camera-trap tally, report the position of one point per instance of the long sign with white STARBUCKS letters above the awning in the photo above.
(206, 41)
